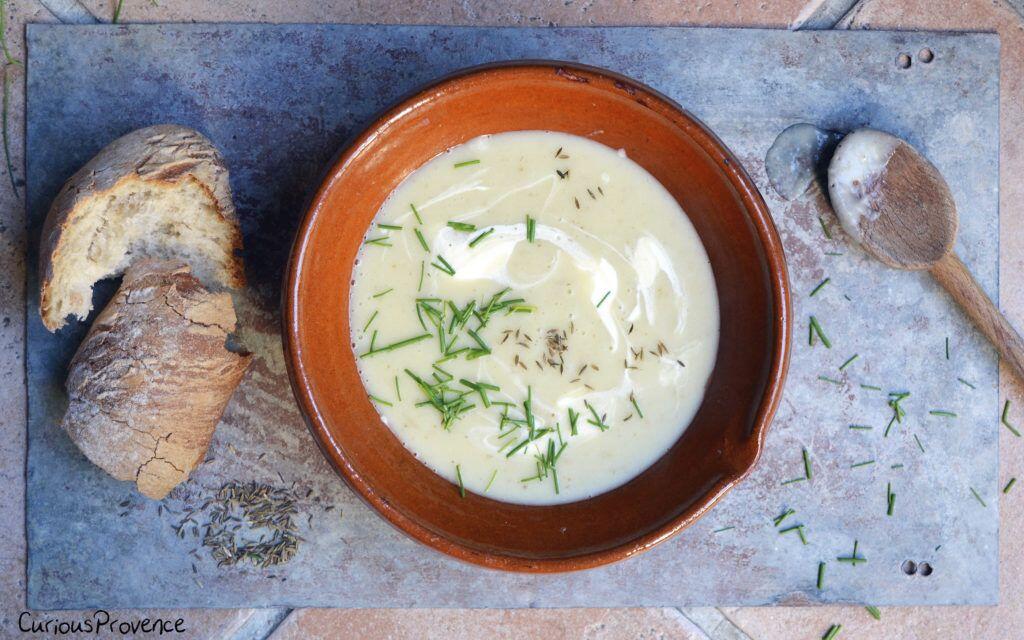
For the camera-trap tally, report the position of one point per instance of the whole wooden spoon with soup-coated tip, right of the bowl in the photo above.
(900, 208)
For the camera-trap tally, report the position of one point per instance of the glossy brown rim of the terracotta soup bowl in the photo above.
(775, 260)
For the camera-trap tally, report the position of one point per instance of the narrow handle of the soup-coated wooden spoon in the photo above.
(958, 281)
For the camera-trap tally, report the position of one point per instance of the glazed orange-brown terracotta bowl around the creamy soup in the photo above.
(727, 437)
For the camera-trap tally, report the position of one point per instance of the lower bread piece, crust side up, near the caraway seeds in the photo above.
(153, 377)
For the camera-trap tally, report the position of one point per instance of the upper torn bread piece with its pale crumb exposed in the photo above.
(160, 192)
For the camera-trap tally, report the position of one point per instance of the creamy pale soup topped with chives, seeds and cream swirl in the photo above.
(534, 317)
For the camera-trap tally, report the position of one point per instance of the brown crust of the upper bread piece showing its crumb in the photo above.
(166, 154)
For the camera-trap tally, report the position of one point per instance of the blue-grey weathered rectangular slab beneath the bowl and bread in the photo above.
(280, 101)
